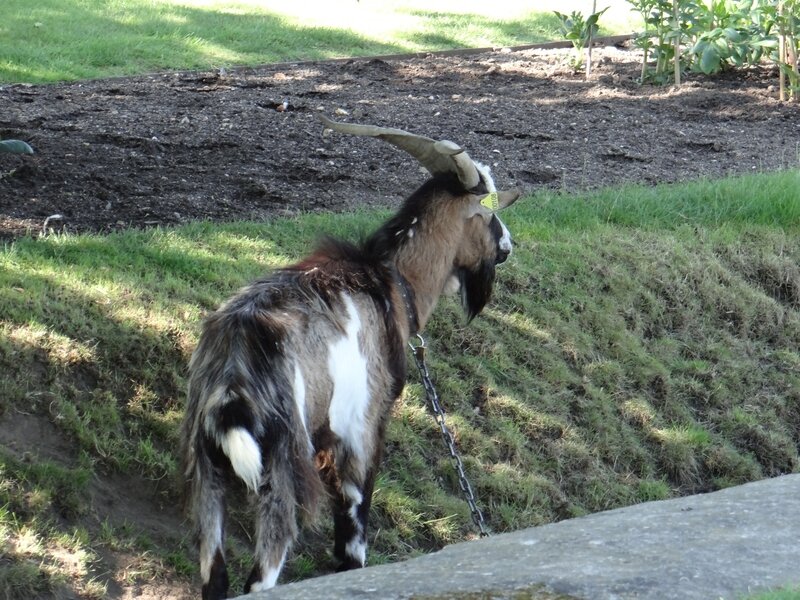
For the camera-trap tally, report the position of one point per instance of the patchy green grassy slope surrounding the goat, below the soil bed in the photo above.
(642, 343)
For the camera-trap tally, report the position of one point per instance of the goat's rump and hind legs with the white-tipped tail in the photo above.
(263, 442)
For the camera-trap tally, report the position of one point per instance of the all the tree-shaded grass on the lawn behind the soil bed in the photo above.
(98, 41)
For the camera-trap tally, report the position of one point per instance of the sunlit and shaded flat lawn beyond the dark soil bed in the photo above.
(52, 40)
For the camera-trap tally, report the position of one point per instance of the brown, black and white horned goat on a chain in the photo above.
(294, 378)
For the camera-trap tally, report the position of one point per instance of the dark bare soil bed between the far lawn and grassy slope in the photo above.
(168, 148)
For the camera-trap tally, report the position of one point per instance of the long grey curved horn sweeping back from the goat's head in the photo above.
(437, 157)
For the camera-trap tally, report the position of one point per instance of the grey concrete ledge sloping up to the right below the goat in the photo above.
(726, 544)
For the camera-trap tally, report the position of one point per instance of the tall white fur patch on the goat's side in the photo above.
(348, 371)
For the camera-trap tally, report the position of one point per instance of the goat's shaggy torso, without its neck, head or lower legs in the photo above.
(308, 357)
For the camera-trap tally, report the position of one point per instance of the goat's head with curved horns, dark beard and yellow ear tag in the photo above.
(467, 202)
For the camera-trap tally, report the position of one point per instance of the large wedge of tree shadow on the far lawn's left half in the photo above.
(158, 38)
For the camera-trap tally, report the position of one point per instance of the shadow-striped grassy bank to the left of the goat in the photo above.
(93, 357)
